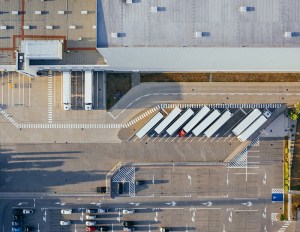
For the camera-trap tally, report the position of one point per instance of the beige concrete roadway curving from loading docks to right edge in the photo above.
(33, 115)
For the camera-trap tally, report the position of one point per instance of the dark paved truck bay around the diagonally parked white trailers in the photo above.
(224, 133)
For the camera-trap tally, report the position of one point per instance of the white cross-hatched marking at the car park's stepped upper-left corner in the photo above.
(126, 174)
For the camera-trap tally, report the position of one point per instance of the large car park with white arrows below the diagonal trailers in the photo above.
(236, 196)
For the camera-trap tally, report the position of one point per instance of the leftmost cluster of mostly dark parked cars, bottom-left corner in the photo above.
(18, 220)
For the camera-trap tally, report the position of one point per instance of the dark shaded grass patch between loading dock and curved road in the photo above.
(116, 82)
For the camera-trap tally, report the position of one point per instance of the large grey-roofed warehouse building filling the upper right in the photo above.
(199, 35)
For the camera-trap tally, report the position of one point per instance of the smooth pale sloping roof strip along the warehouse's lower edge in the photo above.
(203, 59)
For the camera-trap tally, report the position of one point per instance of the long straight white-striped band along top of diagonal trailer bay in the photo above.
(225, 106)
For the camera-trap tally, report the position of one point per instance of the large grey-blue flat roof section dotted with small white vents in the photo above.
(176, 21)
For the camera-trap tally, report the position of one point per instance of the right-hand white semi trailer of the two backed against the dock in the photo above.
(88, 90)
